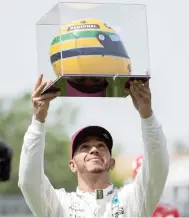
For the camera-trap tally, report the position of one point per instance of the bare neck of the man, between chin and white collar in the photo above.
(92, 182)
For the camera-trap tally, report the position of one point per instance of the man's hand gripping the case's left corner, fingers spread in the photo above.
(41, 102)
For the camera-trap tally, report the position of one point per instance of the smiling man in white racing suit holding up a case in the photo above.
(91, 161)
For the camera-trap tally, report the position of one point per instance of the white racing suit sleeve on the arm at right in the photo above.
(146, 191)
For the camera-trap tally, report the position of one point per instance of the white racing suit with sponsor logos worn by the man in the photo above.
(136, 200)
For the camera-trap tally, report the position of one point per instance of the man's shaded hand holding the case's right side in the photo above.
(141, 96)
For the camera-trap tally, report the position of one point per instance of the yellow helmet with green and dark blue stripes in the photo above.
(89, 47)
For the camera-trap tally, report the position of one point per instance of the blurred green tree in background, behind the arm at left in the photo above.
(15, 117)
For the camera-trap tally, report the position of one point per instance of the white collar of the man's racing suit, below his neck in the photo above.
(98, 194)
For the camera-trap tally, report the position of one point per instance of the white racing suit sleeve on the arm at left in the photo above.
(40, 196)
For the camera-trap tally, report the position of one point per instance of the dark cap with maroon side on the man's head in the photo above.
(97, 131)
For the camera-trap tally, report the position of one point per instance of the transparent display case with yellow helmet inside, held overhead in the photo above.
(93, 49)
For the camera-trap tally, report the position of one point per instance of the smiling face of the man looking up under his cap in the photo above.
(92, 156)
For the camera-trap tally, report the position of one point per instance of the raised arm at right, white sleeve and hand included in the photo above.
(144, 194)
